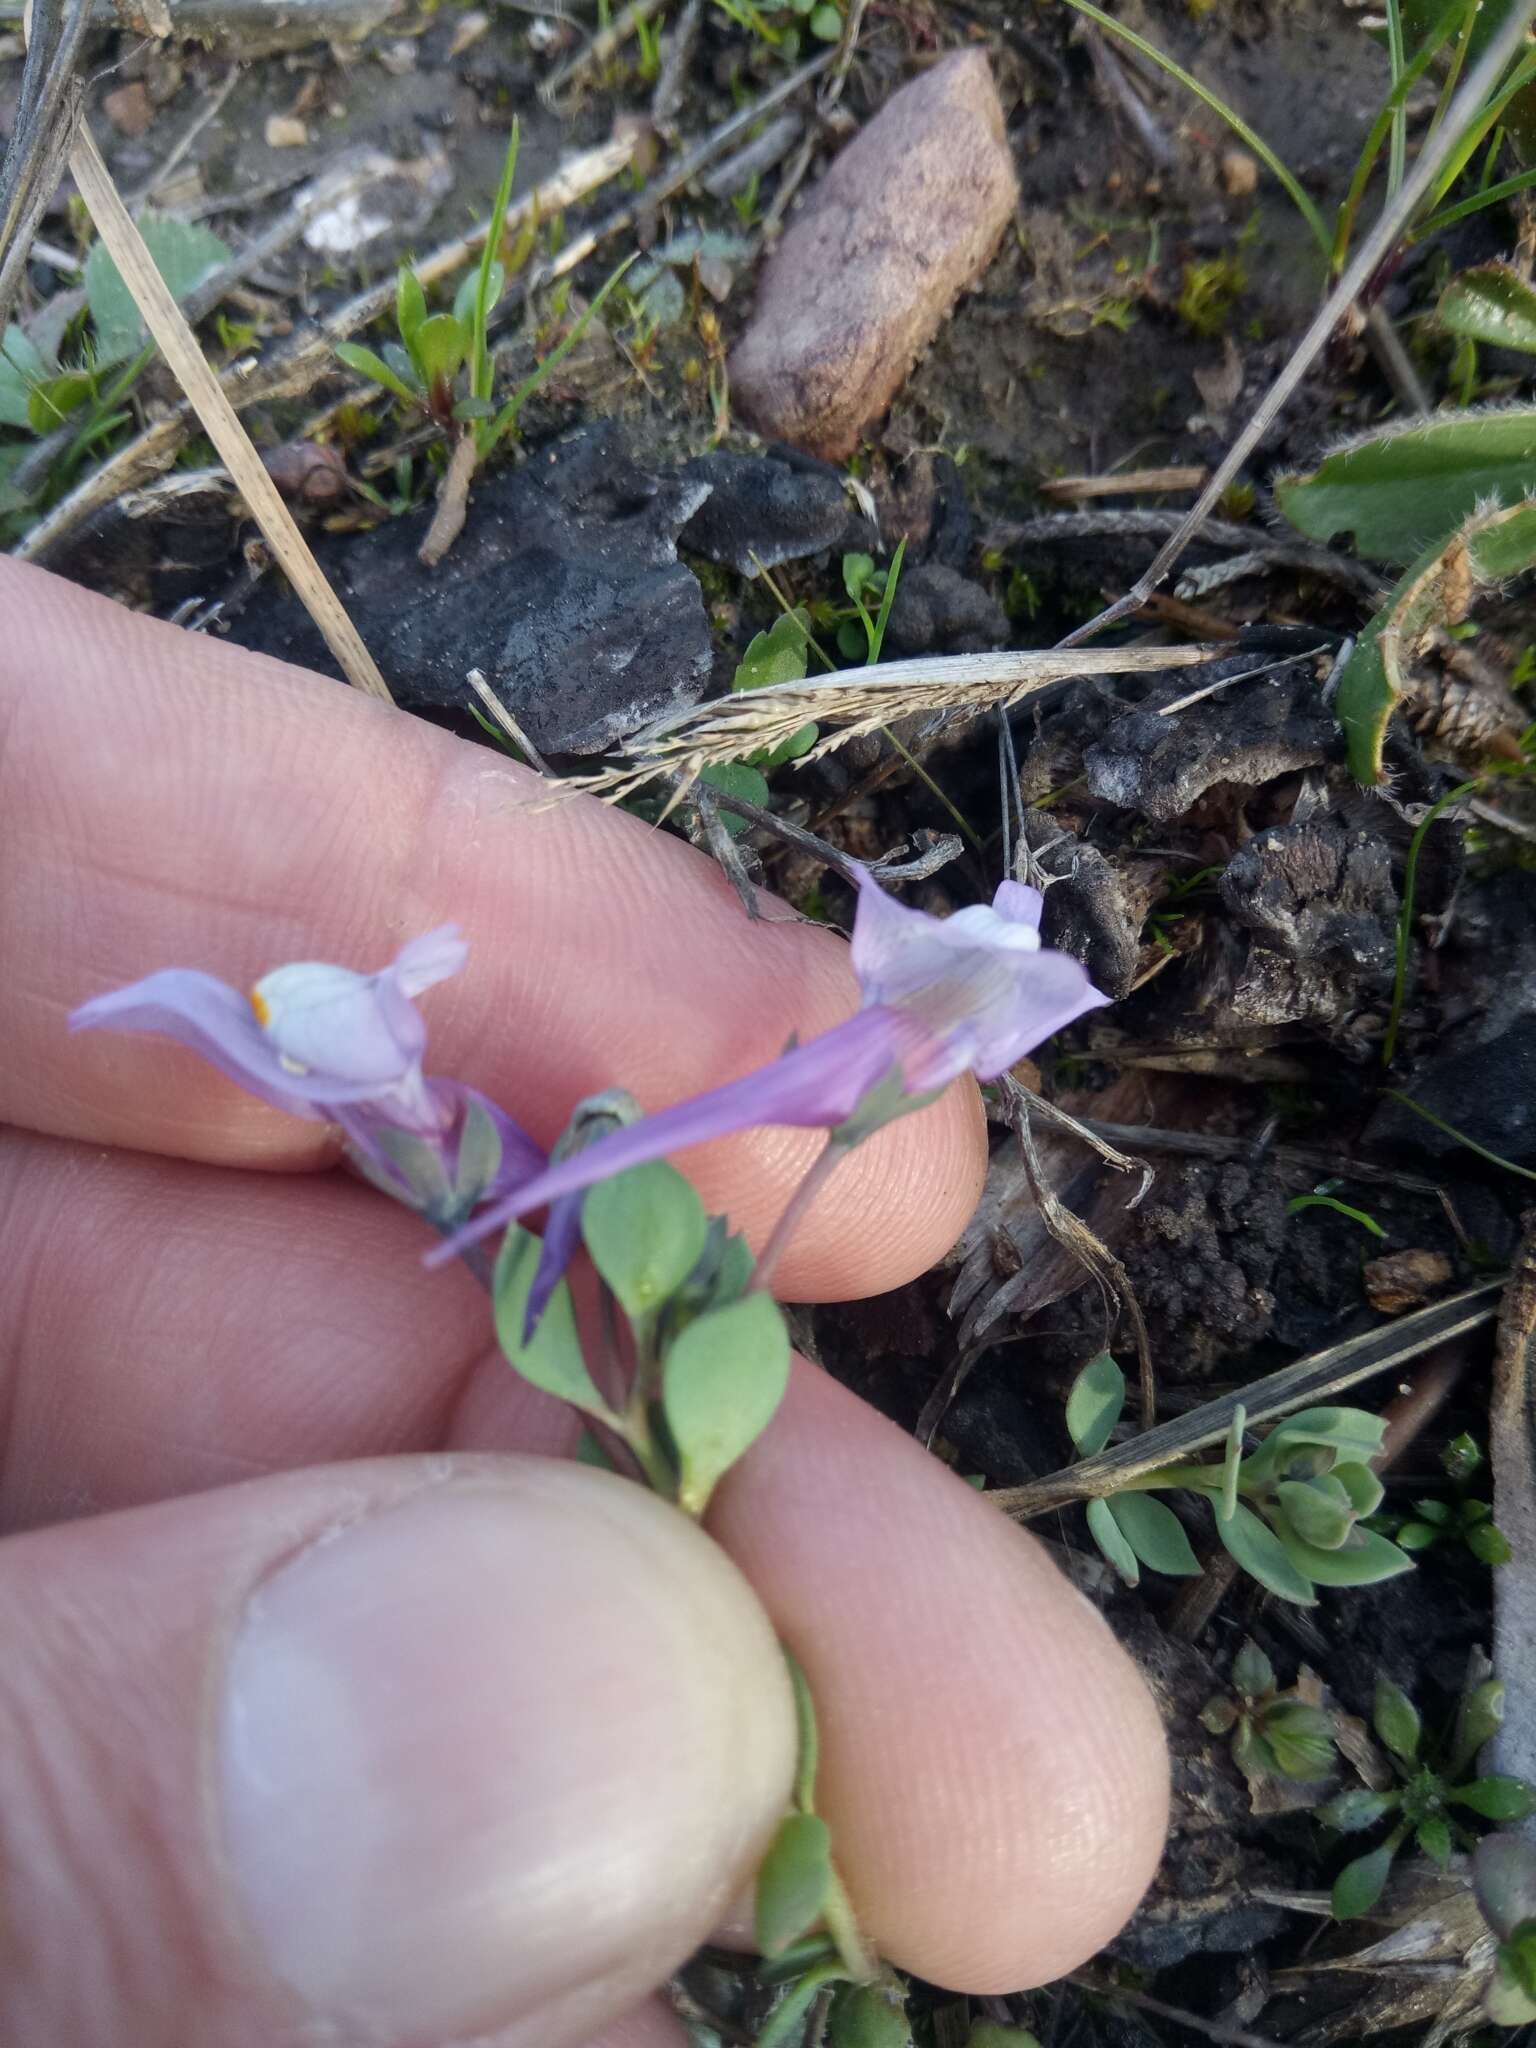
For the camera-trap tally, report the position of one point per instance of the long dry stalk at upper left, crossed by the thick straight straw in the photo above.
(296, 370)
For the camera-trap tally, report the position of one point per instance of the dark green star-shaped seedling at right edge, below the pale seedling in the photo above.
(1433, 1793)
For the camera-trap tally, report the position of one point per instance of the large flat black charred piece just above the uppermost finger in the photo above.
(564, 591)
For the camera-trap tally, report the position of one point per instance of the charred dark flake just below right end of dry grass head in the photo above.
(1258, 730)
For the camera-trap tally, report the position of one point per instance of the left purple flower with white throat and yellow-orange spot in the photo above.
(345, 1050)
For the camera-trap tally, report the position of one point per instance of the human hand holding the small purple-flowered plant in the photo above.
(333, 1703)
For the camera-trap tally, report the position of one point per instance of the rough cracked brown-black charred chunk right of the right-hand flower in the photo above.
(1322, 908)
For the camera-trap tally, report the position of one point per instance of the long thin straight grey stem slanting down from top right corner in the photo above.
(1369, 257)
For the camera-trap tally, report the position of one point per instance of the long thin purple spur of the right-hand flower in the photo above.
(816, 1084)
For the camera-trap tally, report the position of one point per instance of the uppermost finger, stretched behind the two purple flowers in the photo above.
(173, 800)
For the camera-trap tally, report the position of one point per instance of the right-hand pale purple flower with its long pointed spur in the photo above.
(943, 996)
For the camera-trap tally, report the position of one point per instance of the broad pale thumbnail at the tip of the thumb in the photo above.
(497, 1744)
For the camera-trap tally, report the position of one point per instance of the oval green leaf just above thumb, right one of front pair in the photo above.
(722, 1383)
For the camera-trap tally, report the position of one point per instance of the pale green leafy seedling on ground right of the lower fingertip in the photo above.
(1289, 1512)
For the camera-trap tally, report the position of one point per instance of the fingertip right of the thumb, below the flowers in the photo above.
(992, 1762)
